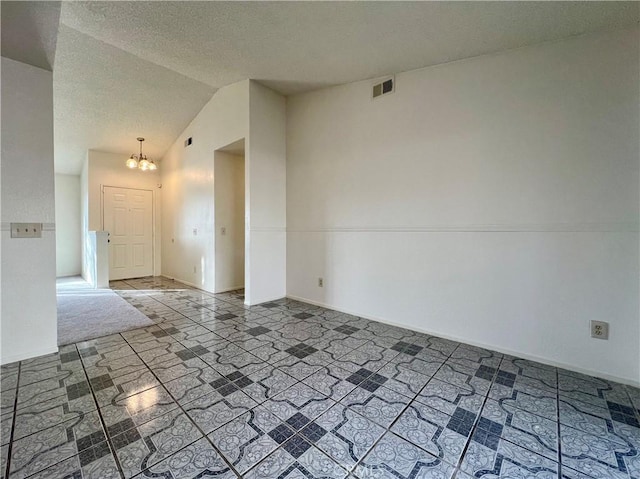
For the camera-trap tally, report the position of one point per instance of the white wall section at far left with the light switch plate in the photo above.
(29, 324)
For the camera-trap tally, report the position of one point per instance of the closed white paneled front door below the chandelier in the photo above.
(128, 217)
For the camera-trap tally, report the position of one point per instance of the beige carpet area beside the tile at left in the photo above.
(87, 313)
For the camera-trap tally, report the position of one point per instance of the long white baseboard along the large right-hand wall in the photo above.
(519, 354)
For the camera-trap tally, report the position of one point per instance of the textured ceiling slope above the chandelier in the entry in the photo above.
(104, 98)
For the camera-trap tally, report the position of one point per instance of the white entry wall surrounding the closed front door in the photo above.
(109, 169)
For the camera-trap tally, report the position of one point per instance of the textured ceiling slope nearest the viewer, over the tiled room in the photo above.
(298, 46)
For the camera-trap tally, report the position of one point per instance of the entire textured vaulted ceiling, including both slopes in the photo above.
(128, 69)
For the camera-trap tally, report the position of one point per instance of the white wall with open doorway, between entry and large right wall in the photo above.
(244, 110)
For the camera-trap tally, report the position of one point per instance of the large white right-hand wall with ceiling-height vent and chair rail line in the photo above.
(494, 200)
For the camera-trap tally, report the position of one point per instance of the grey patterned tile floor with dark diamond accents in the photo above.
(287, 389)
